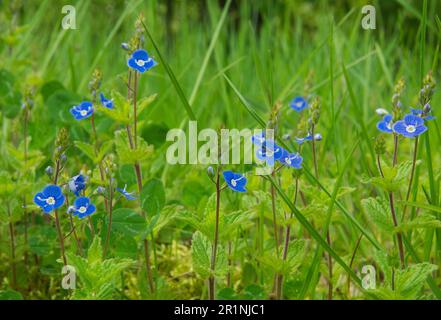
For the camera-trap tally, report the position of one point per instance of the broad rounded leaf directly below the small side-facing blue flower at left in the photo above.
(128, 222)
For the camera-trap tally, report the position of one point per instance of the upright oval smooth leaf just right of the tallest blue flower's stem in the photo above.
(153, 197)
